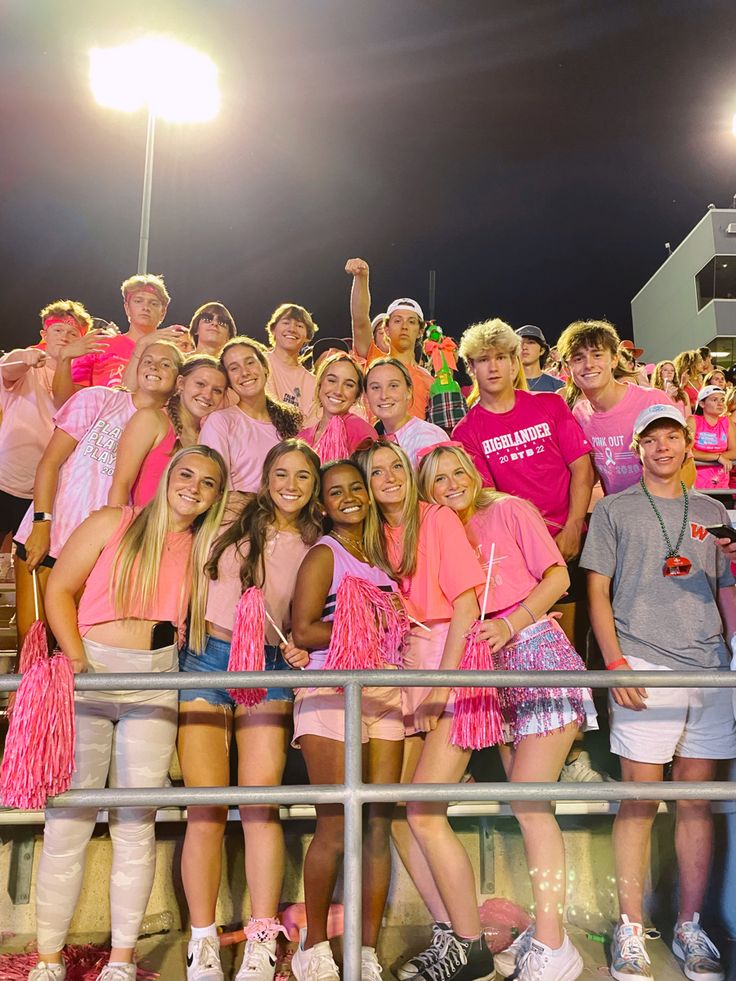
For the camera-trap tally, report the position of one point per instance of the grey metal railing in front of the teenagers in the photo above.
(353, 794)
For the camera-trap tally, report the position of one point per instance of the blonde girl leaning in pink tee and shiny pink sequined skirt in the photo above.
(530, 577)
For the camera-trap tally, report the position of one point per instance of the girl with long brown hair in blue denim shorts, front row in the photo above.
(262, 548)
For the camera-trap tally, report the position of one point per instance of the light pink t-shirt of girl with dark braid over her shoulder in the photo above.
(243, 443)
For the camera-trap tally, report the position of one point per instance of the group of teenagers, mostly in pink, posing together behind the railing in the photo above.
(166, 486)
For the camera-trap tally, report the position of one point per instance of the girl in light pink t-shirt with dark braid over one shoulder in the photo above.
(244, 433)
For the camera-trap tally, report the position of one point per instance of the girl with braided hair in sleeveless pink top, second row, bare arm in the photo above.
(152, 436)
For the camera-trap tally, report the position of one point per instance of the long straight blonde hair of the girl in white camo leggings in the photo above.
(137, 561)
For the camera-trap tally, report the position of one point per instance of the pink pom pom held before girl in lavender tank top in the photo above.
(368, 631)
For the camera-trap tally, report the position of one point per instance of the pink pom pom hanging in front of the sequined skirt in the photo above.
(477, 722)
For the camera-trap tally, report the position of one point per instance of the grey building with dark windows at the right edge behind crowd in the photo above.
(691, 300)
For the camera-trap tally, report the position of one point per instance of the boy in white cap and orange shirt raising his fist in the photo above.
(404, 327)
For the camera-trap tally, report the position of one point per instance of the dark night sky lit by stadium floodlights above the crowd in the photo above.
(537, 155)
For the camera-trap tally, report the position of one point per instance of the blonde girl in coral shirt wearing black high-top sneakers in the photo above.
(424, 548)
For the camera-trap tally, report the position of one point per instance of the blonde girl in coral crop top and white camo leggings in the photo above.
(140, 571)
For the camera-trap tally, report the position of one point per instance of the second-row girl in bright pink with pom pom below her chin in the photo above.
(339, 431)
